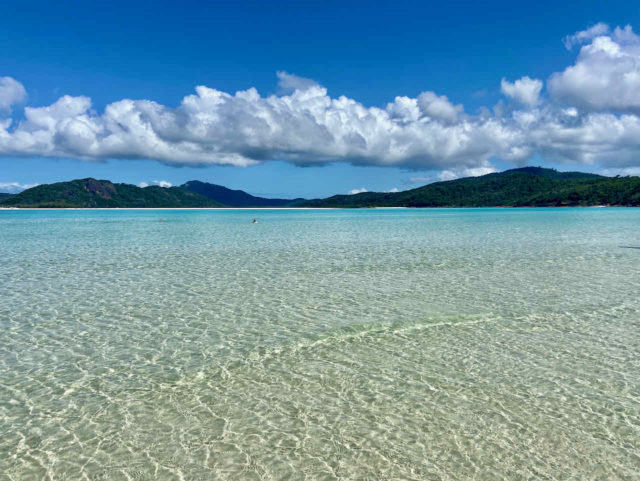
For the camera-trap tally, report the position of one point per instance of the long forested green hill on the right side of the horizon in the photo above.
(528, 186)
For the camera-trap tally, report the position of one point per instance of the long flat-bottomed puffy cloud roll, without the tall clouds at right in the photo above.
(305, 127)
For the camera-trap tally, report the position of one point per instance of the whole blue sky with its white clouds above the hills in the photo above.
(310, 99)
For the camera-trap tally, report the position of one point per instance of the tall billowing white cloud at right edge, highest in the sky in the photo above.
(605, 77)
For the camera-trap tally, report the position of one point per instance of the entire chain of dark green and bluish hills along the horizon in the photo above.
(523, 187)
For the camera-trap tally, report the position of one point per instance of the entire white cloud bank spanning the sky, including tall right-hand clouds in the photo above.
(589, 114)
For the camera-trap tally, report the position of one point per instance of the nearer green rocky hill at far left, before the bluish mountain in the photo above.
(103, 193)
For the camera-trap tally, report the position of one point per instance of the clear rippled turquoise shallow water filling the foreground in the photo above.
(444, 344)
